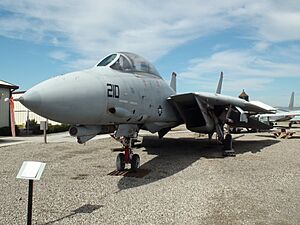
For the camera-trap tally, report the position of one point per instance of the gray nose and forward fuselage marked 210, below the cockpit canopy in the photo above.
(103, 96)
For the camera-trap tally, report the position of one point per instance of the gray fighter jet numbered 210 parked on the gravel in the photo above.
(124, 93)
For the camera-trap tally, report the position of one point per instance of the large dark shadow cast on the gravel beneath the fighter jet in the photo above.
(175, 154)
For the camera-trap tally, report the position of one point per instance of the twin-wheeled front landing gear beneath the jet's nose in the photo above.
(127, 157)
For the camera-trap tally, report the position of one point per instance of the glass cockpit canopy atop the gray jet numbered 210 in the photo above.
(128, 62)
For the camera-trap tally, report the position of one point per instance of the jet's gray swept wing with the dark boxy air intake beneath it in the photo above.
(208, 112)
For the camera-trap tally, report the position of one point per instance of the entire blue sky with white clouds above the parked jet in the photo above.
(255, 43)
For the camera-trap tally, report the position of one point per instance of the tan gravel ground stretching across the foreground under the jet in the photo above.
(189, 182)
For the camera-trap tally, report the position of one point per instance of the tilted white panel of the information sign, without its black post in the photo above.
(31, 170)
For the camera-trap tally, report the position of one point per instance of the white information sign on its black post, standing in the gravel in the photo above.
(31, 171)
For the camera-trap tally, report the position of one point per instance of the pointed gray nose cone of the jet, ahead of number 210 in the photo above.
(73, 98)
